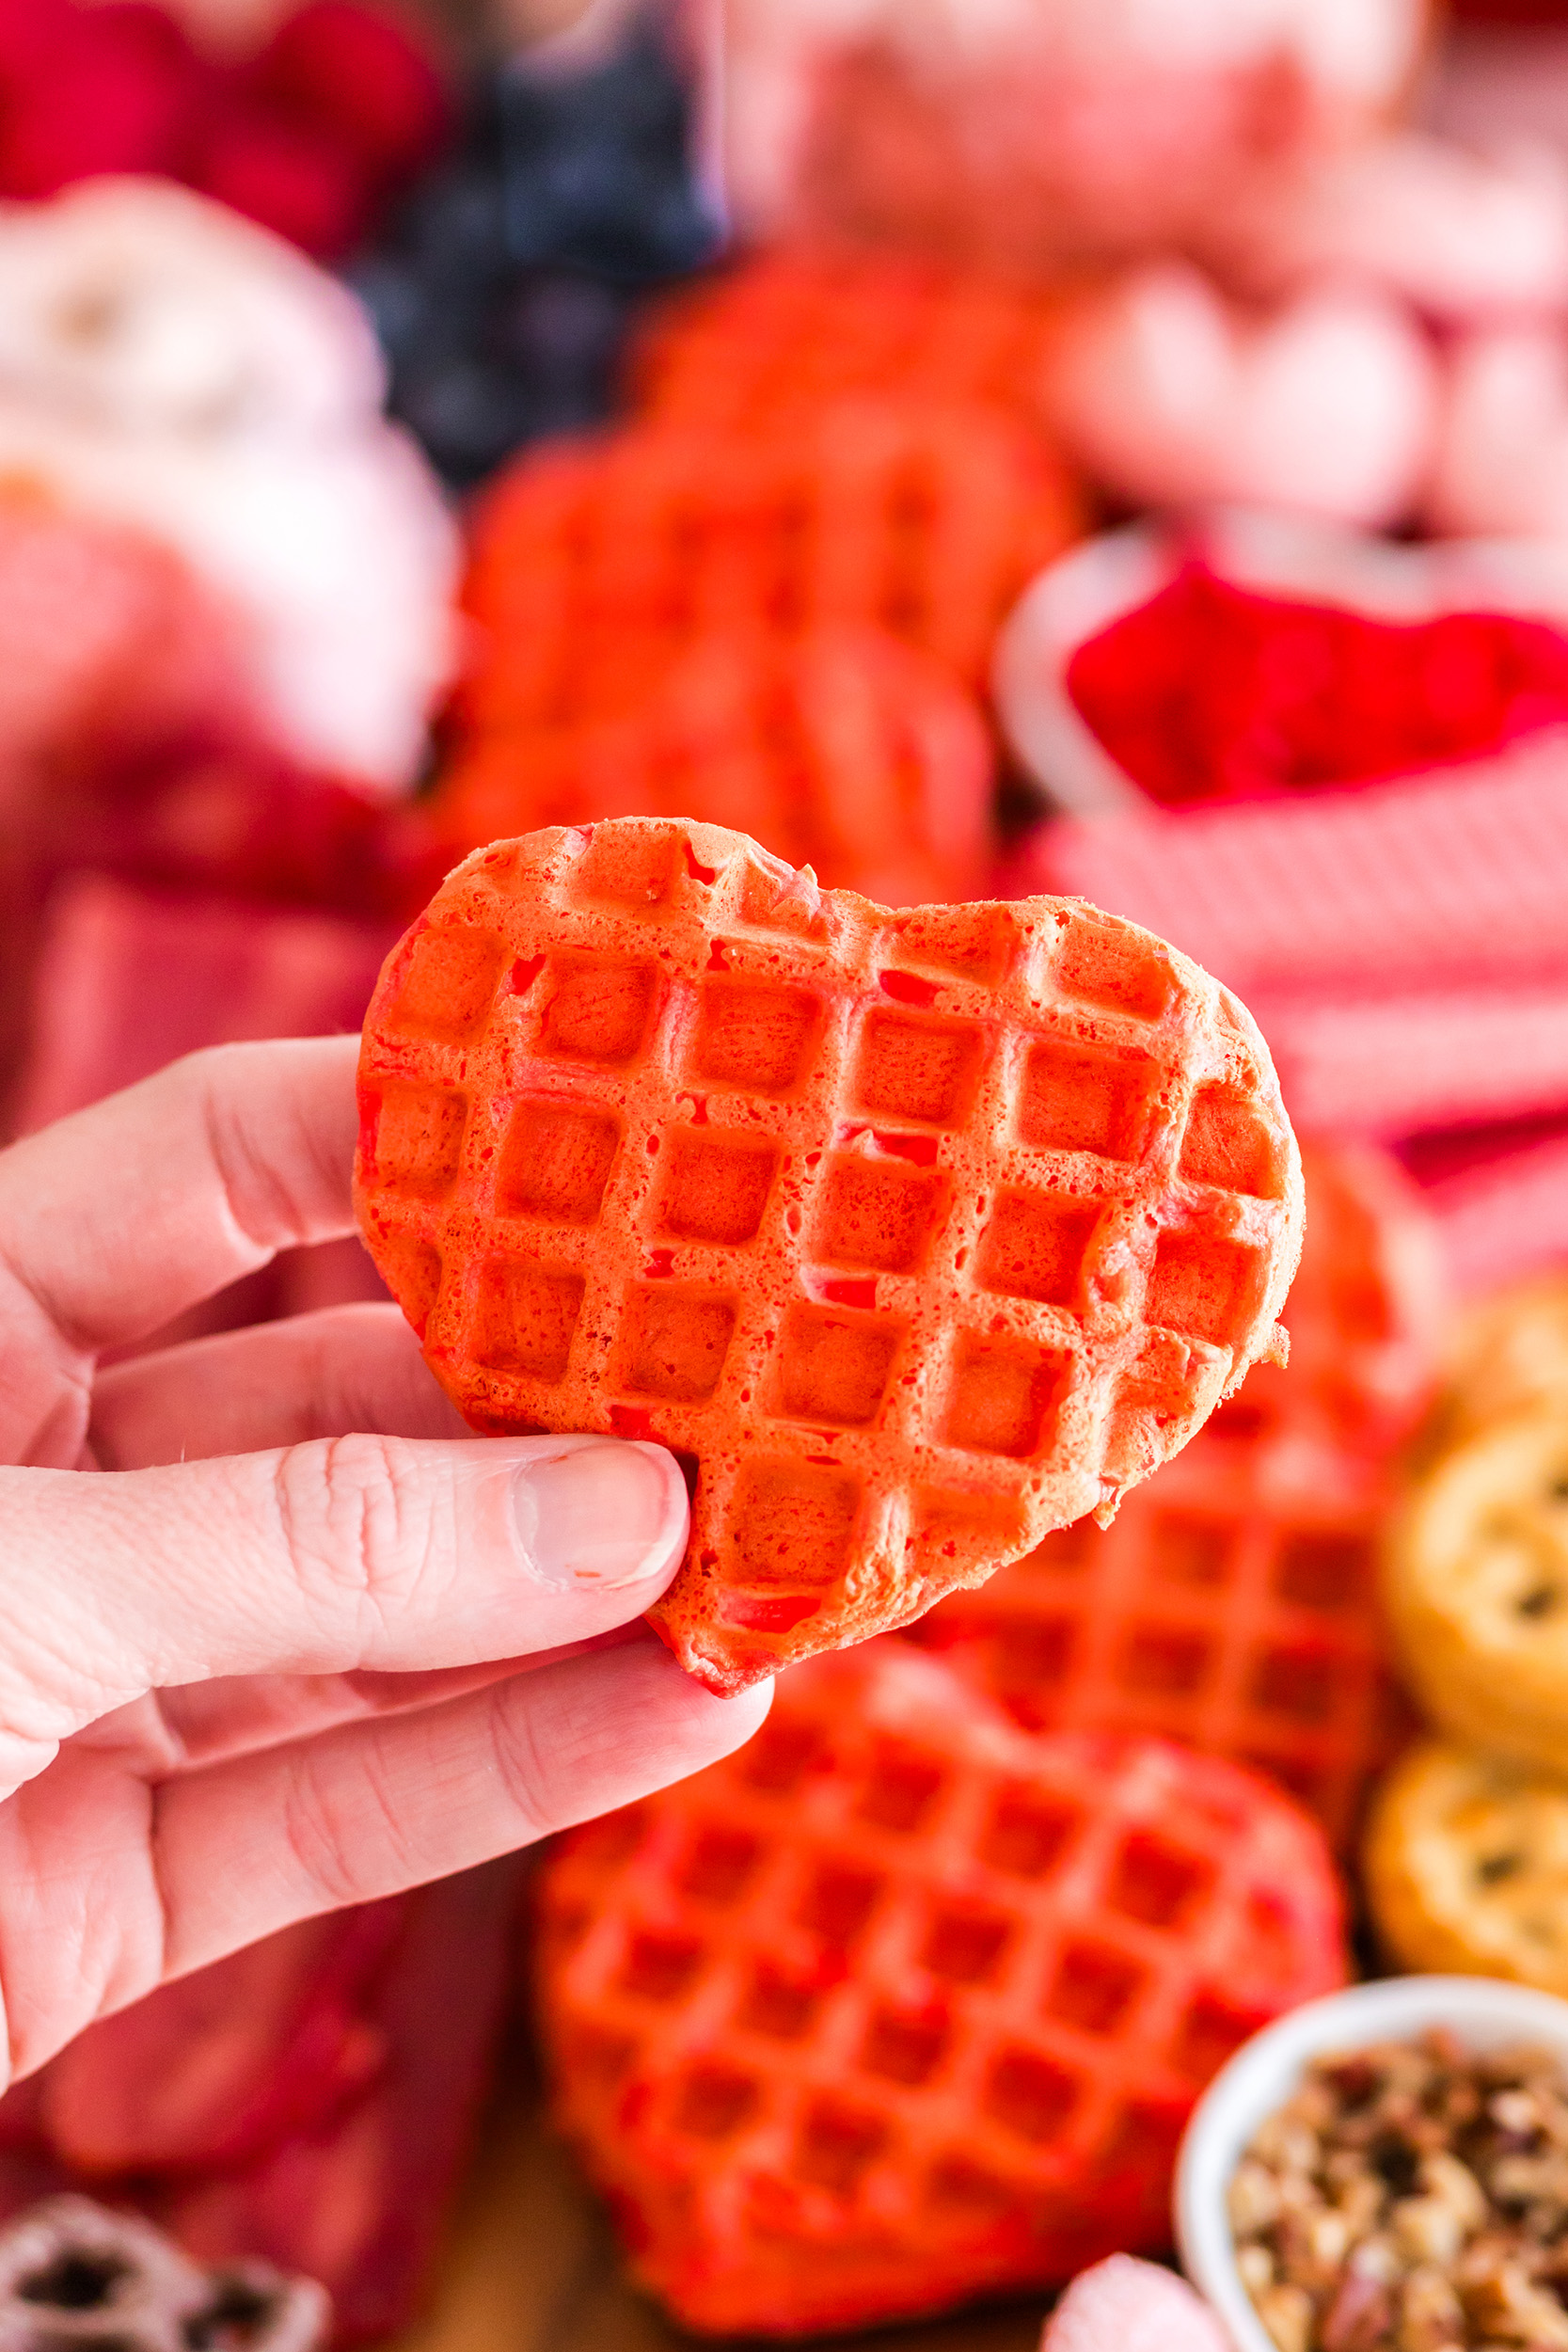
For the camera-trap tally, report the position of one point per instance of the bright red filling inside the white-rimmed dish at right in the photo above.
(1219, 693)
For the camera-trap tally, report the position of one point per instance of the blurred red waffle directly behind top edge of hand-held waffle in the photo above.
(840, 749)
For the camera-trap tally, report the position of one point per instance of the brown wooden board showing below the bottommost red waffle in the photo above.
(532, 2266)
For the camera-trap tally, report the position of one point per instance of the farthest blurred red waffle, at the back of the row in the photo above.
(798, 328)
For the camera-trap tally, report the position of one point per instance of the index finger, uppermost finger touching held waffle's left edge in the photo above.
(123, 1215)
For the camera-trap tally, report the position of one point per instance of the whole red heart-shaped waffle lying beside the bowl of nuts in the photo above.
(902, 2007)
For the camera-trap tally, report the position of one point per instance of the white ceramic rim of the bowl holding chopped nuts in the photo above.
(1264, 2076)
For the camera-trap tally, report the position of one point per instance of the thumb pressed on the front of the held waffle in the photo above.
(323, 1558)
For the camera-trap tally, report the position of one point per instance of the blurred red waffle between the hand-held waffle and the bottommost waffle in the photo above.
(1231, 1605)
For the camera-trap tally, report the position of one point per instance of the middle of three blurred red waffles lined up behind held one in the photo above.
(913, 516)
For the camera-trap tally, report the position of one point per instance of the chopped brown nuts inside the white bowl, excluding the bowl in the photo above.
(1412, 2198)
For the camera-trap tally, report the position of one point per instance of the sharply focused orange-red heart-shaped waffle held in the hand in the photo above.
(923, 1234)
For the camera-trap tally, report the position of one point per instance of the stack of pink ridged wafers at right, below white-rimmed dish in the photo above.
(1407, 956)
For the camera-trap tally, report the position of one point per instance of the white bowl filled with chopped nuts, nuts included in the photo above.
(1388, 2172)
